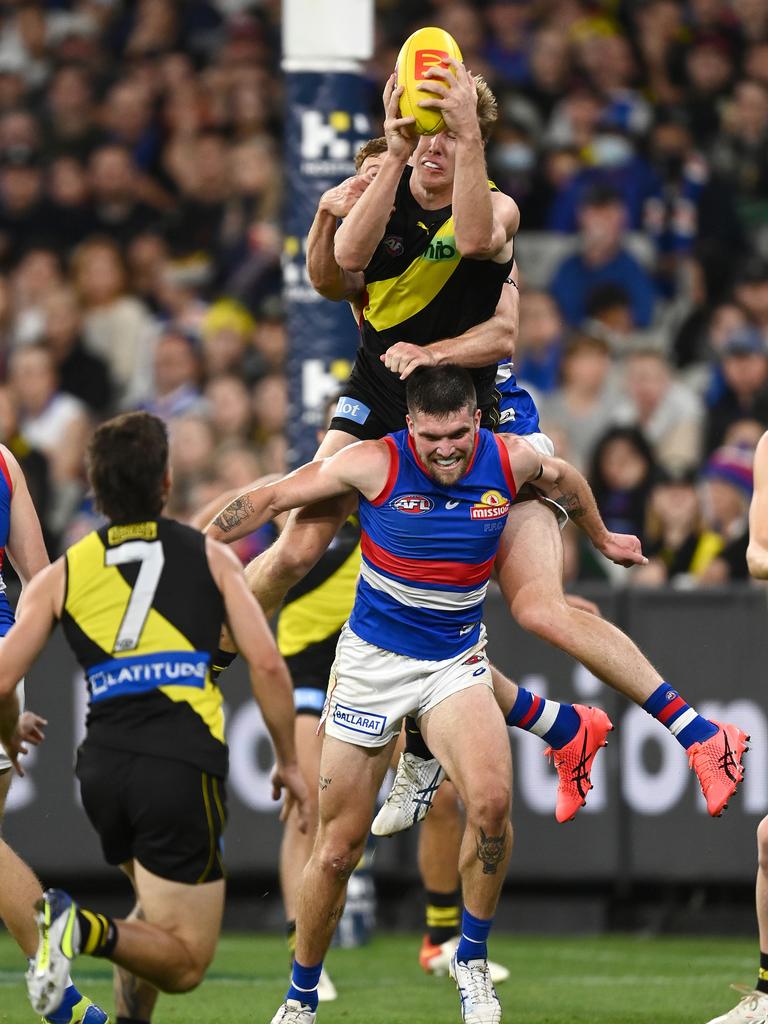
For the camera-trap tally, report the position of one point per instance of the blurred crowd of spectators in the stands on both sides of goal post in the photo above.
(141, 192)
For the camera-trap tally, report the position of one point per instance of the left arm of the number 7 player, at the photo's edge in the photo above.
(41, 609)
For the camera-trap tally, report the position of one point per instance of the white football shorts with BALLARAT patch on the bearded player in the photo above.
(372, 691)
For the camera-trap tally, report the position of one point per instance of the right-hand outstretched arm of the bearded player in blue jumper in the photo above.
(565, 485)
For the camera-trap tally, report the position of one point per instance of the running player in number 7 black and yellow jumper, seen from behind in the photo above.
(142, 603)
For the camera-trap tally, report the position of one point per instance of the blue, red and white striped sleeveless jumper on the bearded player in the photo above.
(429, 551)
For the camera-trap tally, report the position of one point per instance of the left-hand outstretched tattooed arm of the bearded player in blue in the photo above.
(361, 467)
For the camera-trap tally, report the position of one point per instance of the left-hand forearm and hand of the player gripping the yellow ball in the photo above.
(363, 230)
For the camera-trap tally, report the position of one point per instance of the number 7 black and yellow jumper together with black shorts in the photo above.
(143, 615)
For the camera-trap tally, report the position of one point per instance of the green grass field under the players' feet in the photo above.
(608, 980)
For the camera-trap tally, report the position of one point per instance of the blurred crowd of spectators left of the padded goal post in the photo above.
(141, 240)
